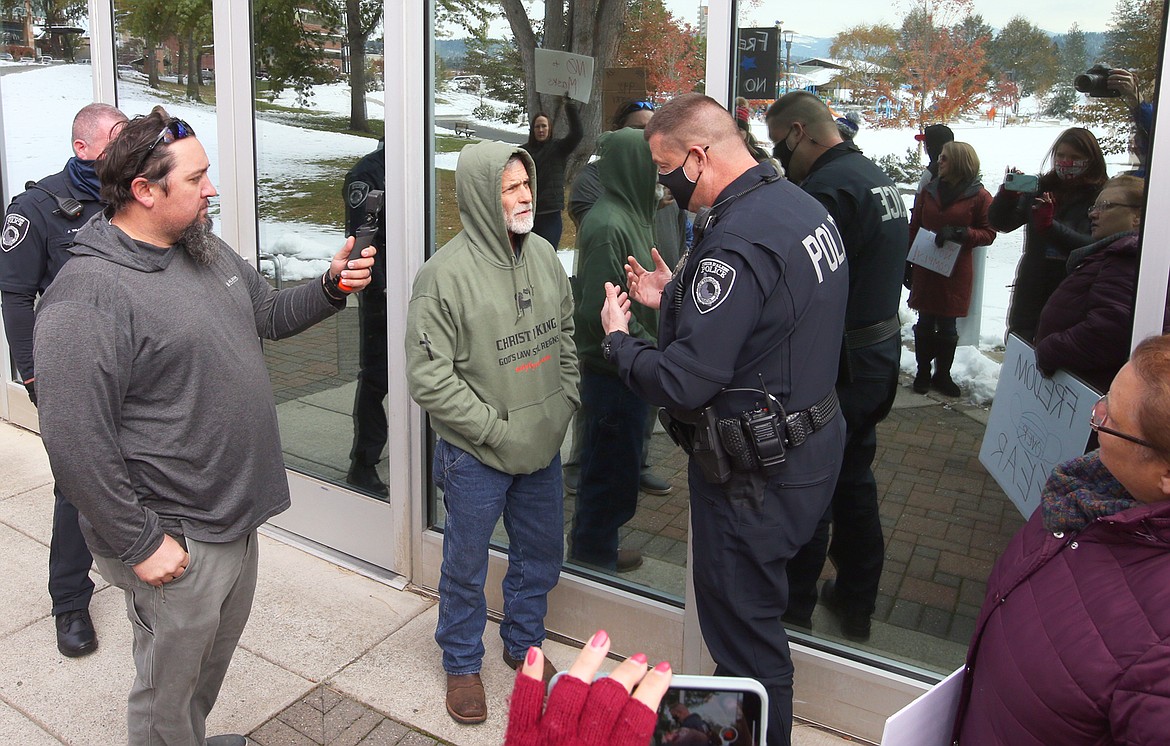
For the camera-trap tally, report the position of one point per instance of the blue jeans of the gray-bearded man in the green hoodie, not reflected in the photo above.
(476, 498)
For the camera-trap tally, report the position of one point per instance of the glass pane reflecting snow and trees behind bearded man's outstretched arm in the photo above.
(318, 161)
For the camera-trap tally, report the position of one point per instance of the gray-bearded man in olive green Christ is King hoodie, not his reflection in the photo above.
(491, 357)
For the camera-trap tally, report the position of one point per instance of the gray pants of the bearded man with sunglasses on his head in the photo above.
(185, 634)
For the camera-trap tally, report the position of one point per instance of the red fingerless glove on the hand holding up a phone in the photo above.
(577, 715)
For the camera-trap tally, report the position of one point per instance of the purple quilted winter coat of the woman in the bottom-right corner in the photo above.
(1072, 646)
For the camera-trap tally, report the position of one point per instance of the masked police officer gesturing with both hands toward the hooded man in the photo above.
(746, 377)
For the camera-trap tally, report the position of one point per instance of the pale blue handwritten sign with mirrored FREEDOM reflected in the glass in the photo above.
(1036, 424)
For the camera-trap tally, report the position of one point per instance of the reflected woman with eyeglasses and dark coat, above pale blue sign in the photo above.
(1088, 324)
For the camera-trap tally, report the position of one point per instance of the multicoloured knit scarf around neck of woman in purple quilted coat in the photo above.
(1080, 492)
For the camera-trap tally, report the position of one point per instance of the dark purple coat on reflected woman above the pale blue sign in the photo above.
(1088, 323)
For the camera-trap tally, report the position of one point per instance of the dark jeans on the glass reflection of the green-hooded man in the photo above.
(610, 467)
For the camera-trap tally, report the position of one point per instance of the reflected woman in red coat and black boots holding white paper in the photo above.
(955, 208)
